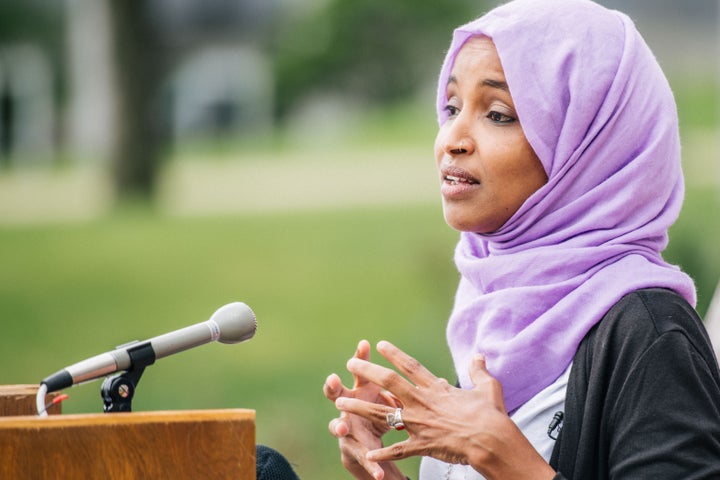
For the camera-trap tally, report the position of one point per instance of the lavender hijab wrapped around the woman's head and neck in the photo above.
(599, 113)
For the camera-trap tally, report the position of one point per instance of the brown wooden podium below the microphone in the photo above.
(177, 445)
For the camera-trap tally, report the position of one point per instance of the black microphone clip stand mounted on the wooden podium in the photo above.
(118, 390)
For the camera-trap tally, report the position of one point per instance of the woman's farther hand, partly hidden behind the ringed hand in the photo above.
(358, 435)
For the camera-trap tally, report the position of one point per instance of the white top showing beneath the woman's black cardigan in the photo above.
(533, 419)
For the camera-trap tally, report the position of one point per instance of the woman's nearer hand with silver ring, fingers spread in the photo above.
(457, 426)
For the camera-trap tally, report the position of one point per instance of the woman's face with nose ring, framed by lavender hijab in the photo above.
(487, 167)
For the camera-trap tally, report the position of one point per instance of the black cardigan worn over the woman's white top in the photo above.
(643, 399)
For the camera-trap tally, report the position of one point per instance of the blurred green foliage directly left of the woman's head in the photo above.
(373, 49)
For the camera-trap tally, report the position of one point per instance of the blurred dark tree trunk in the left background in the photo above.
(141, 130)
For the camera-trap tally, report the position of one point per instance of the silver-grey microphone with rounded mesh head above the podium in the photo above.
(231, 323)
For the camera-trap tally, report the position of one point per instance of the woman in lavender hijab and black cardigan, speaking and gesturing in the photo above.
(577, 350)
